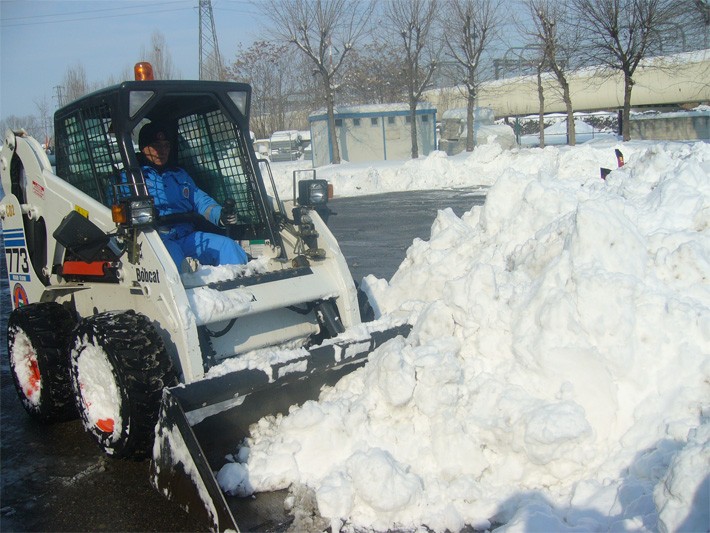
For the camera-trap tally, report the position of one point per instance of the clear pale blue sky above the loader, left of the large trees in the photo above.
(41, 39)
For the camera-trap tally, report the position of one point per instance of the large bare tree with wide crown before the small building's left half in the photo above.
(326, 31)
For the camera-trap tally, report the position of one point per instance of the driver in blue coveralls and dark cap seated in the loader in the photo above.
(174, 192)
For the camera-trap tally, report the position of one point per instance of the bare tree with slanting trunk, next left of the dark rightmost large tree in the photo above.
(558, 40)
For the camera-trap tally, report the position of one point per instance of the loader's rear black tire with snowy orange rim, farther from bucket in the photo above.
(37, 346)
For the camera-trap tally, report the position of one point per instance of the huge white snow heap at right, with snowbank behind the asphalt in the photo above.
(557, 377)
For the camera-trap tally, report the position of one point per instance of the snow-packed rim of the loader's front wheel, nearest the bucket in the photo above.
(100, 395)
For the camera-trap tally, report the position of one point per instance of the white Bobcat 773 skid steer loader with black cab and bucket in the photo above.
(156, 362)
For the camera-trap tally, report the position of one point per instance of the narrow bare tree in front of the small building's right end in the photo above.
(411, 22)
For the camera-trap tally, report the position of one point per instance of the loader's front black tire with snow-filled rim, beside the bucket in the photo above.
(119, 368)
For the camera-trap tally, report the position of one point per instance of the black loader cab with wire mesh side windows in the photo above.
(97, 145)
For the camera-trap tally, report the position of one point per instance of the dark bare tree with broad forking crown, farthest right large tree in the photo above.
(621, 33)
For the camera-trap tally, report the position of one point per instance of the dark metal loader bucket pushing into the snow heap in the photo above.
(203, 422)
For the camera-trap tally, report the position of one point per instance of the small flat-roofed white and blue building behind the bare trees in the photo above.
(372, 133)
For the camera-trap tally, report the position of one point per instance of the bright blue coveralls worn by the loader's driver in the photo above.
(174, 191)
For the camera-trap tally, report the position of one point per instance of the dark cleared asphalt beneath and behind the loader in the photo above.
(54, 478)
